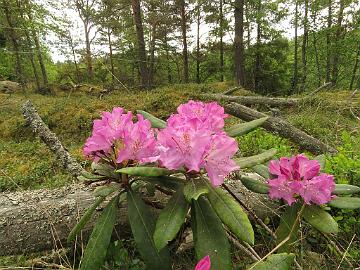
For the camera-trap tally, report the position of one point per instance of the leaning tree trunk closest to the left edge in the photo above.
(14, 41)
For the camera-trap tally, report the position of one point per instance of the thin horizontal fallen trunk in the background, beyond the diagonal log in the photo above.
(251, 100)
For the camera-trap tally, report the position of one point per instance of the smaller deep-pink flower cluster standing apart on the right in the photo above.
(299, 176)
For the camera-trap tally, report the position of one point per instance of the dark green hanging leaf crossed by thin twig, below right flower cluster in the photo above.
(288, 220)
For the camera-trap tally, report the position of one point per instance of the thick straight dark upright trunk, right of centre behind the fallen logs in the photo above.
(239, 42)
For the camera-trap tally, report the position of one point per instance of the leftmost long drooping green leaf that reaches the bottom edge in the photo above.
(95, 252)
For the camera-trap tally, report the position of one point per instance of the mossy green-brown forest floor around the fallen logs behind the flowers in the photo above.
(26, 163)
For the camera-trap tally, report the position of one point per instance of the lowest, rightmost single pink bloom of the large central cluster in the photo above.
(218, 162)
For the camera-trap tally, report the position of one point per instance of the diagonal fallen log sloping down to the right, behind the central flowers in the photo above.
(281, 127)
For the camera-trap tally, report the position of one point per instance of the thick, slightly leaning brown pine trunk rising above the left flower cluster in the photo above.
(144, 72)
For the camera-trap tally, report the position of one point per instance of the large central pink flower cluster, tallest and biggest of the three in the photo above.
(193, 139)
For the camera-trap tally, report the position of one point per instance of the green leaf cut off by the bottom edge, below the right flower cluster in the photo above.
(281, 261)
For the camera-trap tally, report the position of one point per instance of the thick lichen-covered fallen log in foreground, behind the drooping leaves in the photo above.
(38, 220)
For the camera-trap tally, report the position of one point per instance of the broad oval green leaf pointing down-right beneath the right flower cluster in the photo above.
(320, 219)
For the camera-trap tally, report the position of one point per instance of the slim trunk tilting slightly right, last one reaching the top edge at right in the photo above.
(338, 34)
